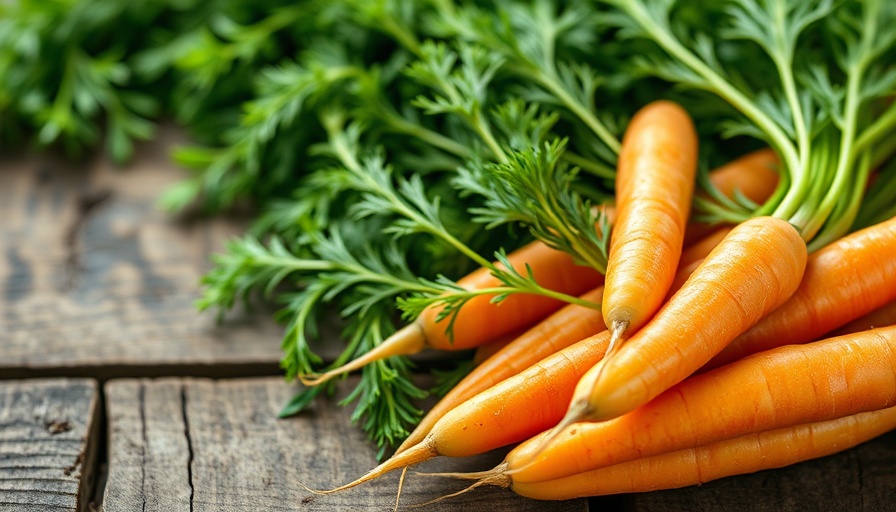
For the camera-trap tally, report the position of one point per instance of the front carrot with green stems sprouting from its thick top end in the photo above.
(750, 273)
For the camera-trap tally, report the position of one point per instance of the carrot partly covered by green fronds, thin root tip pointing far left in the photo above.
(480, 320)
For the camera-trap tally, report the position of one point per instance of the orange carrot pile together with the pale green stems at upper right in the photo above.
(762, 339)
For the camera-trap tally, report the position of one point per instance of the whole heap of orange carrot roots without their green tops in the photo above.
(686, 373)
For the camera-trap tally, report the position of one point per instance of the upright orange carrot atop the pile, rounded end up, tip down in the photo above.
(654, 184)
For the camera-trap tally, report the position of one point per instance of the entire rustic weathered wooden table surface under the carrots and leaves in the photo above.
(116, 395)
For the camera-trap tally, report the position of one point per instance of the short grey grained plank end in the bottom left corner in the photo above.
(48, 441)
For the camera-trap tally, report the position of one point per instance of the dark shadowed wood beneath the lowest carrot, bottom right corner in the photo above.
(862, 479)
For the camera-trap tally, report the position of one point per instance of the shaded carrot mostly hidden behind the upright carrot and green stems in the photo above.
(752, 175)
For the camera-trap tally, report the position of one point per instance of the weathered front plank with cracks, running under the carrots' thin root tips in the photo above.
(203, 445)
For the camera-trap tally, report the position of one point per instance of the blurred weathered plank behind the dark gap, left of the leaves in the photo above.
(96, 280)
